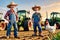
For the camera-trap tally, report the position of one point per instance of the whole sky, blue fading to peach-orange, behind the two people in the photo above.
(46, 5)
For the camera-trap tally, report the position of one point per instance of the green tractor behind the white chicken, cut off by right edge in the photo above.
(54, 19)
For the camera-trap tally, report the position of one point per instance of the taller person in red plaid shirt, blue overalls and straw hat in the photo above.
(12, 18)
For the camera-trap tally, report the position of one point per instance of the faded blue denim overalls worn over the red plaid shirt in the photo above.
(12, 18)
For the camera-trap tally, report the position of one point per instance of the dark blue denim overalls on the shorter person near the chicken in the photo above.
(36, 19)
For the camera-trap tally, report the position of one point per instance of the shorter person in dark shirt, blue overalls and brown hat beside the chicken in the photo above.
(36, 17)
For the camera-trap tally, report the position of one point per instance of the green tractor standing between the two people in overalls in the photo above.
(23, 19)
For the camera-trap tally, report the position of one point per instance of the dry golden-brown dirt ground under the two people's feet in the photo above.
(24, 35)
